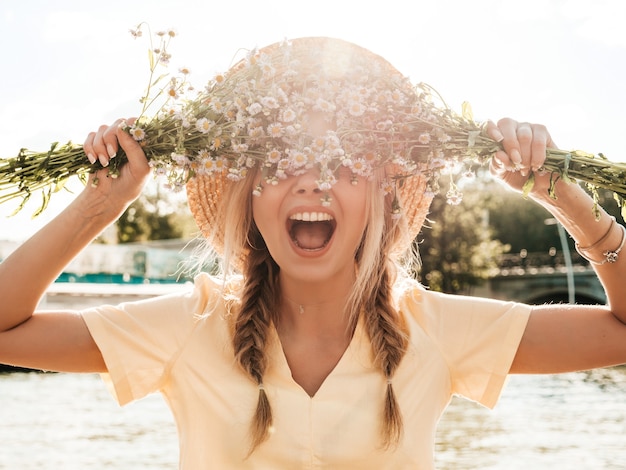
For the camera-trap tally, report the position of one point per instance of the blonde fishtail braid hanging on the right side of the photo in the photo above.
(389, 339)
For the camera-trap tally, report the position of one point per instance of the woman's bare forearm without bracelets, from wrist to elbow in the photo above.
(28, 271)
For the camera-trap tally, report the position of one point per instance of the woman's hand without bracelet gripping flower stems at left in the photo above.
(103, 145)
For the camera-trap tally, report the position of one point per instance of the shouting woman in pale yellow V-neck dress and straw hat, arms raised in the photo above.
(314, 349)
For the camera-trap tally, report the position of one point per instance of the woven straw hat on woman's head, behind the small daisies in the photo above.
(326, 75)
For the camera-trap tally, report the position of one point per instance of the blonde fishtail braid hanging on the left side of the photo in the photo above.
(251, 330)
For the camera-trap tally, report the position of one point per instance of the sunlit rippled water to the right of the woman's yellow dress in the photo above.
(569, 421)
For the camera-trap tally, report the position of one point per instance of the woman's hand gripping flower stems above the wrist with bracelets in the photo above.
(524, 151)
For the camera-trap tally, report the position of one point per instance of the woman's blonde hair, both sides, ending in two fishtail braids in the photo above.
(377, 266)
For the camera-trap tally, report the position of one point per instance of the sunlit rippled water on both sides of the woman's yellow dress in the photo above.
(571, 421)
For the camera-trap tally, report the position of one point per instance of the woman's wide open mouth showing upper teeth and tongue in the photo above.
(311, 230)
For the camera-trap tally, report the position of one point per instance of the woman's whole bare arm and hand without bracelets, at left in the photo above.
(60, 340)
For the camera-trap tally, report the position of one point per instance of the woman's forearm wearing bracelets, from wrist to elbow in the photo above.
(574, 209)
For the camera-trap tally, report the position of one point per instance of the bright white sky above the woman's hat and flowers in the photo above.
(70, 65)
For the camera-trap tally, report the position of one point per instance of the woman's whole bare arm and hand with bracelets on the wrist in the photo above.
(563, 337)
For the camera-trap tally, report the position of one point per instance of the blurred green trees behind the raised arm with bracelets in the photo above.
(463, 244)
